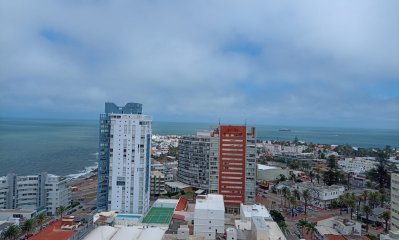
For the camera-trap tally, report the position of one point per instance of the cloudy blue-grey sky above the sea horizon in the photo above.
(310, 63)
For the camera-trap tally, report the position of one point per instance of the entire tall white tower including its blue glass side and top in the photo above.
(124, 159)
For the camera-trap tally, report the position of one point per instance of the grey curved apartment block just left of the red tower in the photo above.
(193, 164)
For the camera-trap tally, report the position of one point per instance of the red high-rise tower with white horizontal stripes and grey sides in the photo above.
(233, 165)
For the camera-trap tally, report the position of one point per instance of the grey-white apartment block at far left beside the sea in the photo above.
(34, 191)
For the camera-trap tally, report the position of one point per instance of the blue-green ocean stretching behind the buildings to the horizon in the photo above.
(69, 147)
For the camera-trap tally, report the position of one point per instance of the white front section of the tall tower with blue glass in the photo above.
(129, 163)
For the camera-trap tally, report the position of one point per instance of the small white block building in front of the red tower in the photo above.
(209, 216)
